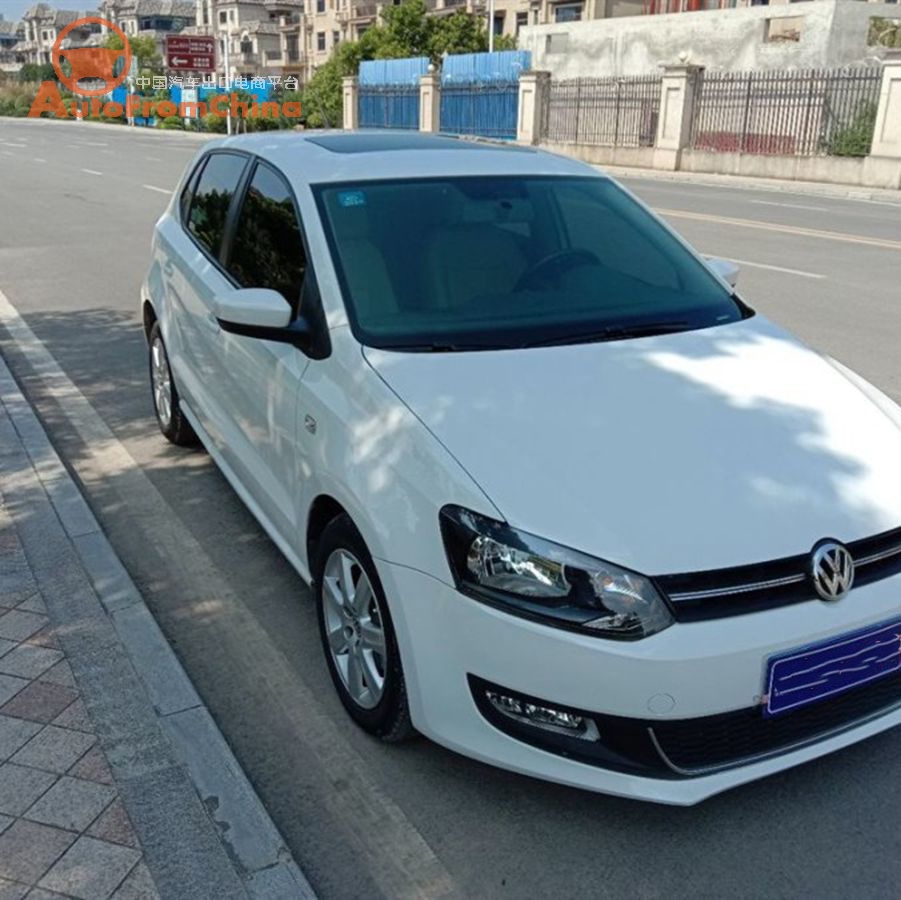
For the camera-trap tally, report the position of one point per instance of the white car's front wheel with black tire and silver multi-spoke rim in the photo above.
(356, 622)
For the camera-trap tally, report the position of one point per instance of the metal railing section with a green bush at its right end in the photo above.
(803, 113)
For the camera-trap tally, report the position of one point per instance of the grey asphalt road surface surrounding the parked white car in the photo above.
(77, 205)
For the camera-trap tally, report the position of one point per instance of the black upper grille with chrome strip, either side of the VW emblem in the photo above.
(744, 589)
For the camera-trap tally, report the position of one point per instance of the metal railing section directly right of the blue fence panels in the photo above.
(616, 112)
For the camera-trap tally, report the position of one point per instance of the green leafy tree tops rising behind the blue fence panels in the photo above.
(405, 31)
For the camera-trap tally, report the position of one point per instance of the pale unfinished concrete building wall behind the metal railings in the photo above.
(833, 33)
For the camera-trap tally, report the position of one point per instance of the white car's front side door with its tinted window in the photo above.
(259, 380)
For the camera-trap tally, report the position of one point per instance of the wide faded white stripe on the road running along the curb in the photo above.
(391, 850)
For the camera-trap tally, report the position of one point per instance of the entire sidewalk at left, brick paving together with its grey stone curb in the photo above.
(114, 780)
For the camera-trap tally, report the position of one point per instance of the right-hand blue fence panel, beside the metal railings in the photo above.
(480, 93)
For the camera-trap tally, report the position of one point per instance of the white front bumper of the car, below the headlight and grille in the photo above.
(689, 671)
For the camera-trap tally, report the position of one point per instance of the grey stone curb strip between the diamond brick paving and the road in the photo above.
(178, 777)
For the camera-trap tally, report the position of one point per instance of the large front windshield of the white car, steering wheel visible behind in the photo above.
(485, 262)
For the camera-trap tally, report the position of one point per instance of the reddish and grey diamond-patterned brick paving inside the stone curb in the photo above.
(63, 828)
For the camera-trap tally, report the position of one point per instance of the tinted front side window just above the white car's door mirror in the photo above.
(267, 250)
